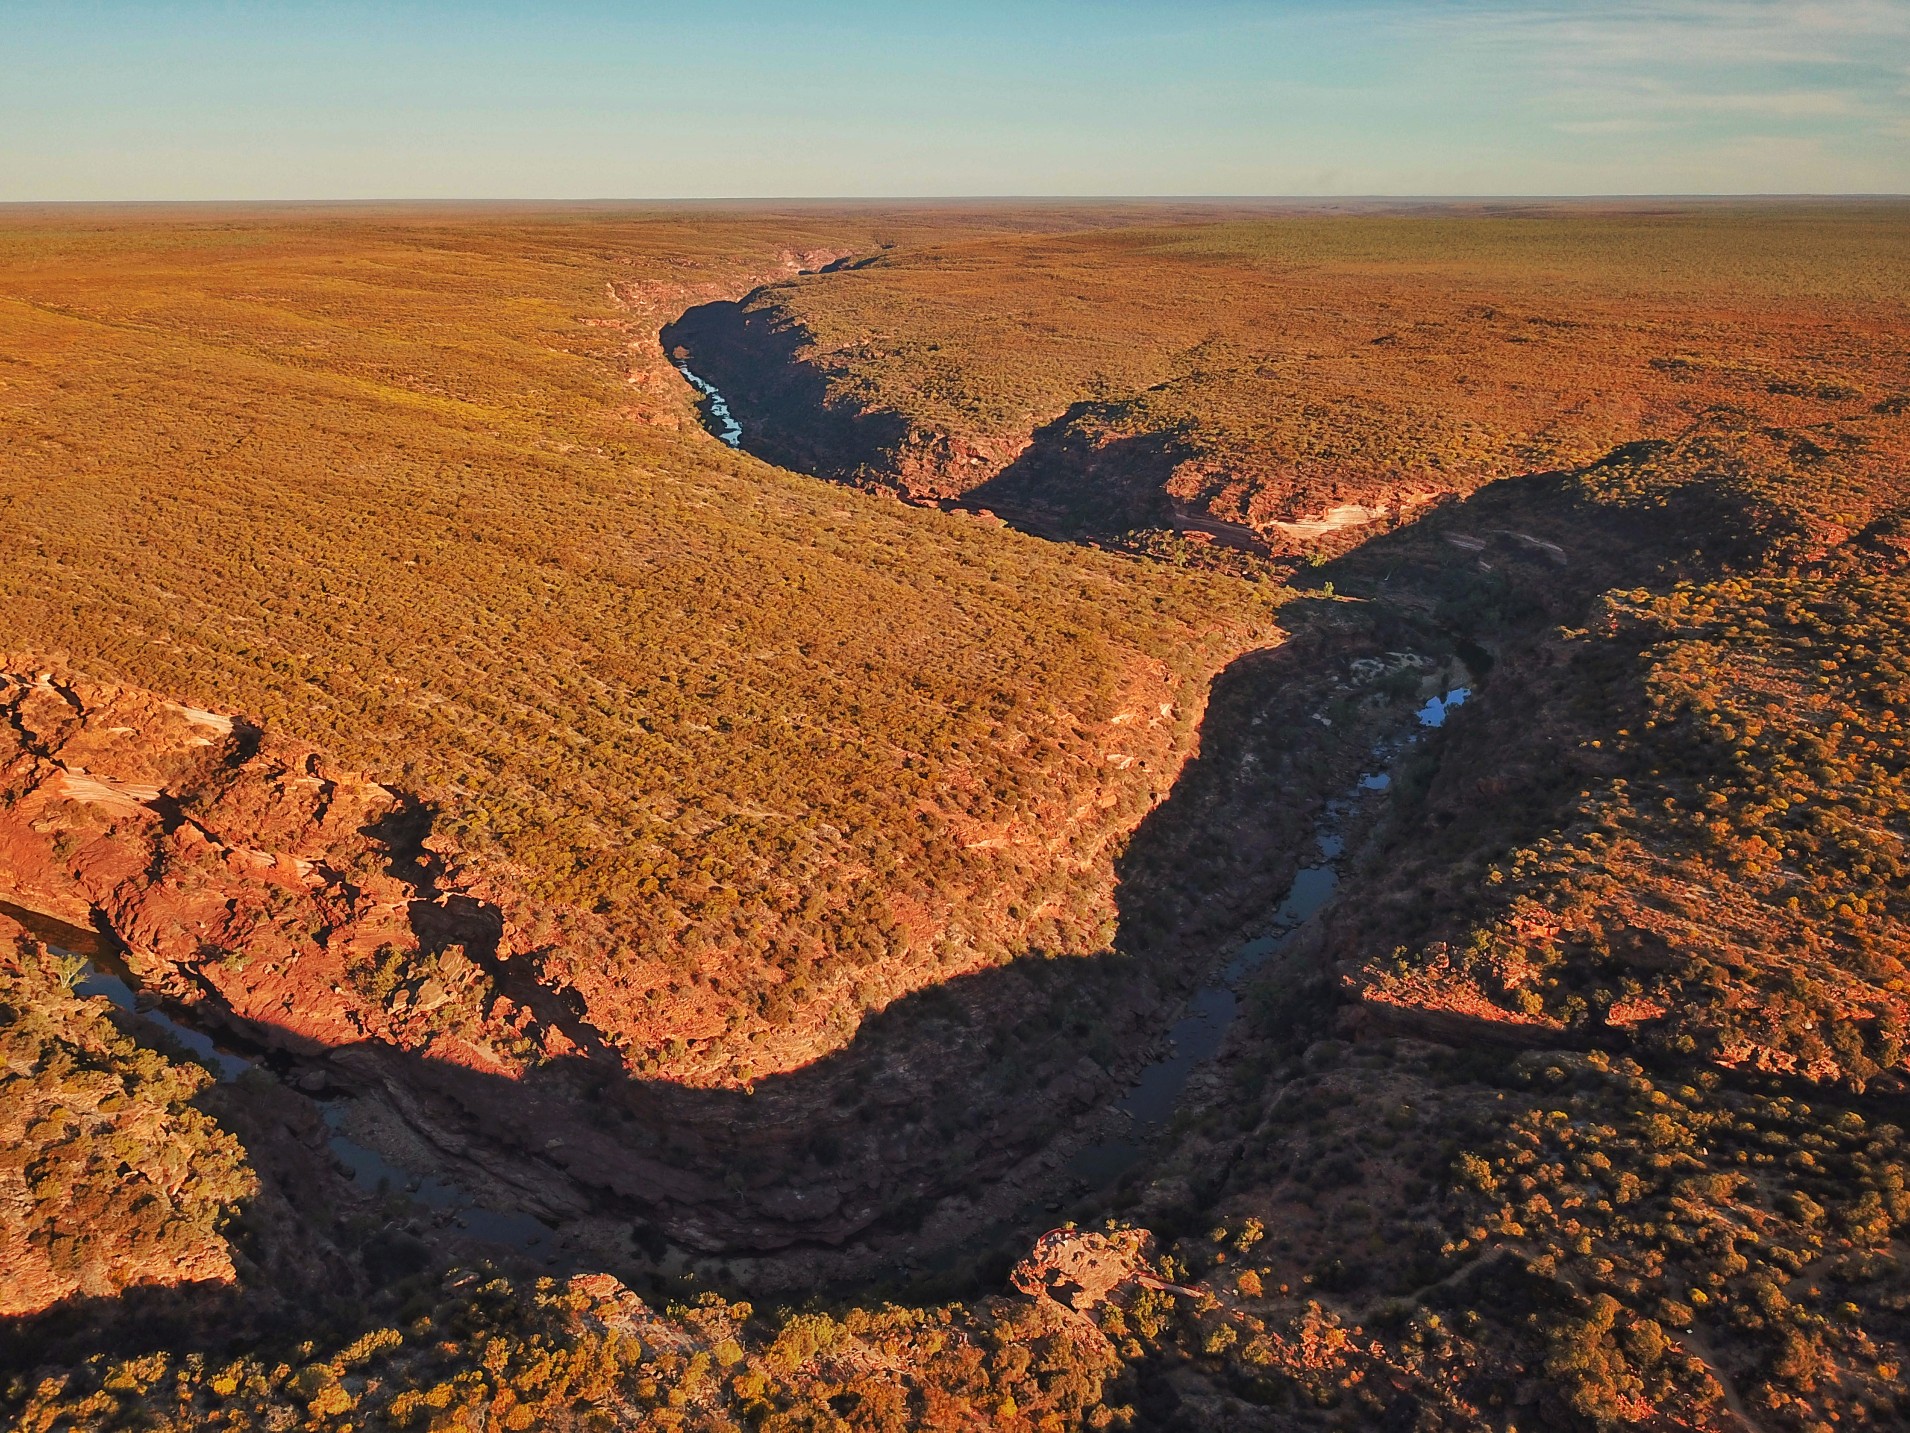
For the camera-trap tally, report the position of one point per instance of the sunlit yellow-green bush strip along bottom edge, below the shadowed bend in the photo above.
(488, 1354)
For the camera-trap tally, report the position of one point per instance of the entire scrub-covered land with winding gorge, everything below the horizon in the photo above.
(1359, 786)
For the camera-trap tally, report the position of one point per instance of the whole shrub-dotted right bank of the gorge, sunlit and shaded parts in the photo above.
(1661, 855)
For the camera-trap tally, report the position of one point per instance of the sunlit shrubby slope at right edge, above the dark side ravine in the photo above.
(1728, 870)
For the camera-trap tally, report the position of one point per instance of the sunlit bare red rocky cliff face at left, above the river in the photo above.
(253, 884)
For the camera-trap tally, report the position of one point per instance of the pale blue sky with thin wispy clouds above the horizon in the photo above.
(855, 98)
